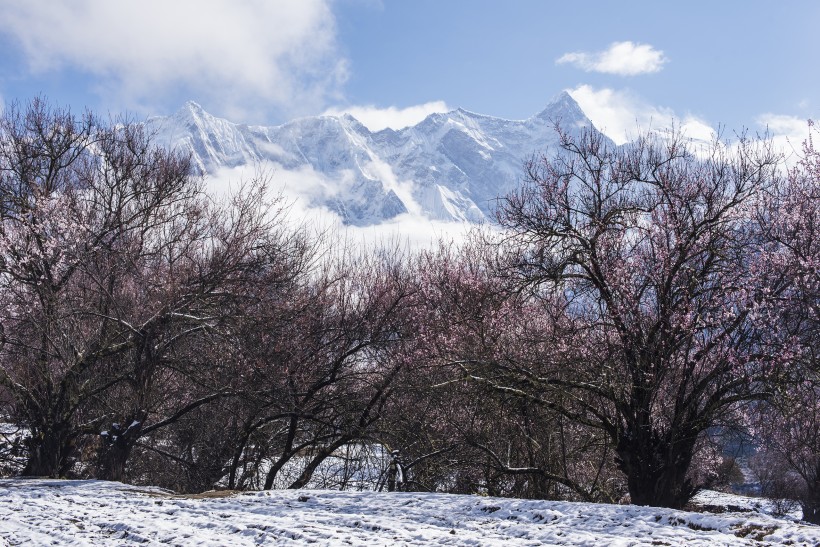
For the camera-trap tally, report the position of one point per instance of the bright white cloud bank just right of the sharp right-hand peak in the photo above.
(623, 116)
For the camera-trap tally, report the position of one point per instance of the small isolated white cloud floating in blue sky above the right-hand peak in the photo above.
(622, 58)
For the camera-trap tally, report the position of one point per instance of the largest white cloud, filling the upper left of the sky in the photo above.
(225, 54)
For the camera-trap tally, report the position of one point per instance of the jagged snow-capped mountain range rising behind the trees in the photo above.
(450, 166)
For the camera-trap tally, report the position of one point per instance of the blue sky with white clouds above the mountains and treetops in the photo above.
(390, 62)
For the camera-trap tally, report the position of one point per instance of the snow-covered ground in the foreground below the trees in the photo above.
(53, 512)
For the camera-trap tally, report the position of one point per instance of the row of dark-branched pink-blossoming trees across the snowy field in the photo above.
(637, 305)
